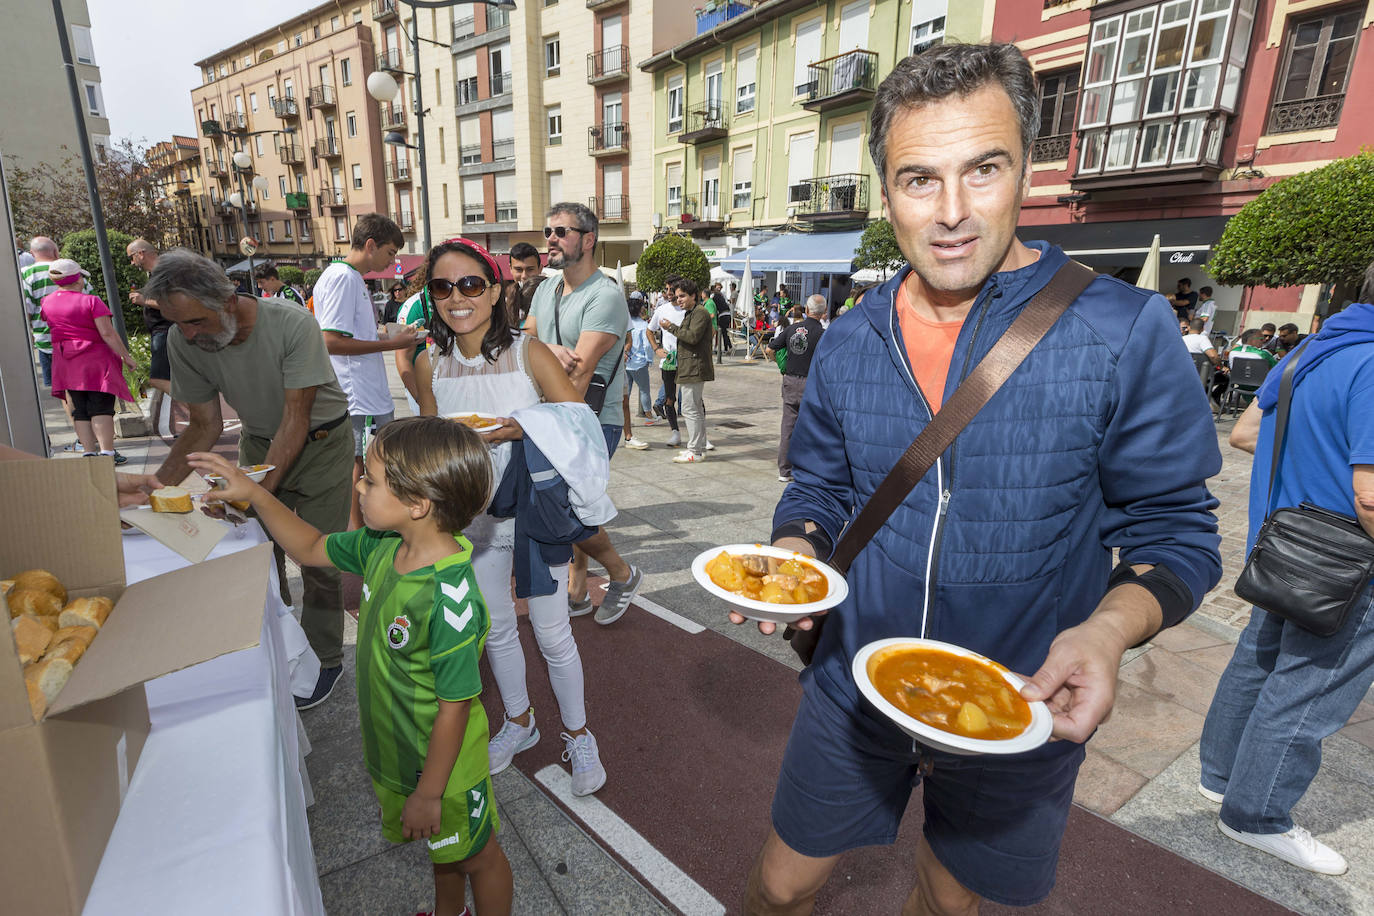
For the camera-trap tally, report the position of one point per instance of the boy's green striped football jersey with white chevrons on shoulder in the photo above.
(420, 638)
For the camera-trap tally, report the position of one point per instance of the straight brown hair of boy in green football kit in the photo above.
(439, 461)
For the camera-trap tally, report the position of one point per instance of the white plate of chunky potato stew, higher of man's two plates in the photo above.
(769, 583)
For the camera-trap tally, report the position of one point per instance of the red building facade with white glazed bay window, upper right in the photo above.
(1167, 116)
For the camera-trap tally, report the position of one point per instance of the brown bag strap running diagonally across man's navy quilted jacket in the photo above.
(973, 393)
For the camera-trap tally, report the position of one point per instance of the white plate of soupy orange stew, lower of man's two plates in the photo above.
(950, 698)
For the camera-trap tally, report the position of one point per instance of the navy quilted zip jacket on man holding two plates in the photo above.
(1103, 439)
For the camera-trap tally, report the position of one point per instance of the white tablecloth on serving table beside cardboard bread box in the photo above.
(215, 818)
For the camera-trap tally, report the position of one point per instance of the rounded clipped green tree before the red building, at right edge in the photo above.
(1317, 227)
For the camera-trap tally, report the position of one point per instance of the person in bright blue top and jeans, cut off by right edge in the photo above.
(1285, 689)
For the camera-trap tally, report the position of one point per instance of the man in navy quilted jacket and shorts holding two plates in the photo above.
(1100, 440)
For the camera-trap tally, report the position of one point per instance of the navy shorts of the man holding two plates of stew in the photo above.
(995, 823)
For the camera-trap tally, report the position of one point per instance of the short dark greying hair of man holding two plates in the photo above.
(954, 71)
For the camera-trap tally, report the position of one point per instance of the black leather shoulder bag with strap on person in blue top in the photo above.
(1309, 565)
